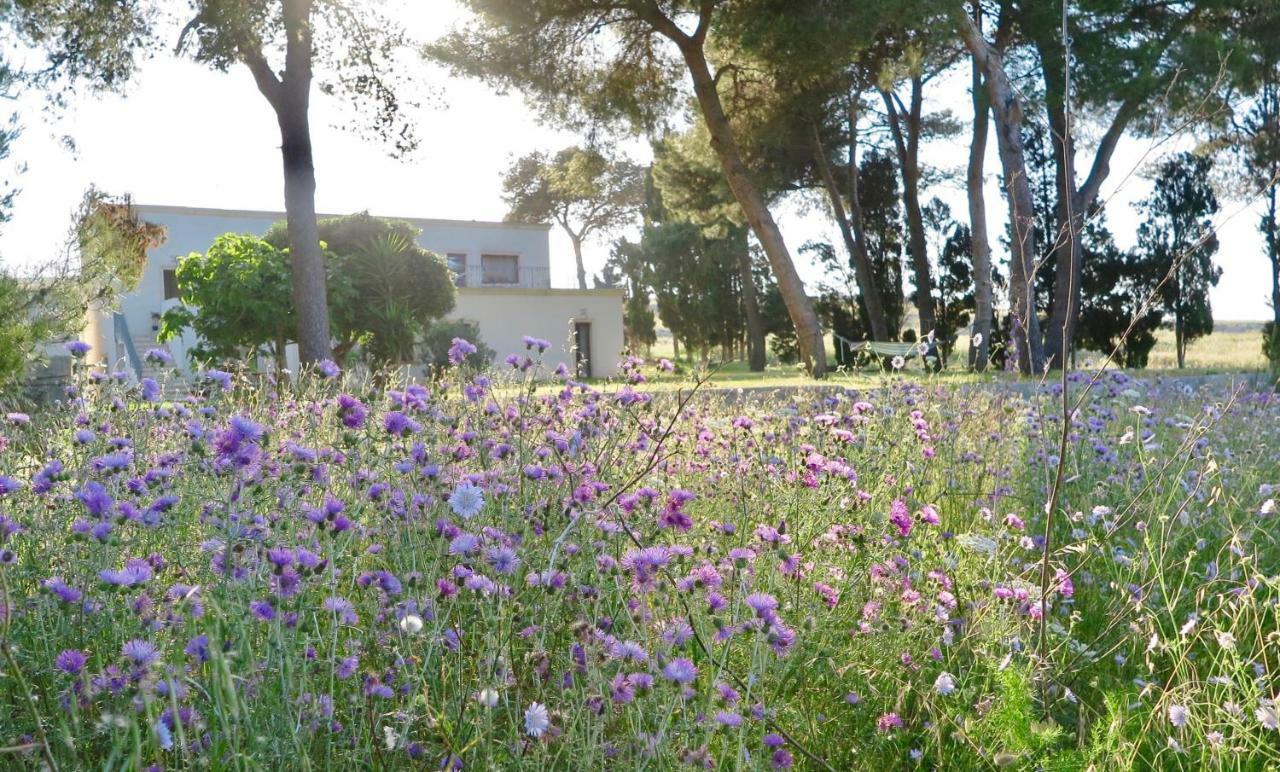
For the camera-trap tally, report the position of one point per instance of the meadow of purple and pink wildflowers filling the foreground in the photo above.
(482, 574)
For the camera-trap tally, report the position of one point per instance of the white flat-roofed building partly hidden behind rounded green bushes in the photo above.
(502, 273)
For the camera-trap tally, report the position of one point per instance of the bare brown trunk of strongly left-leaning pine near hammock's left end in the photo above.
(799, 307)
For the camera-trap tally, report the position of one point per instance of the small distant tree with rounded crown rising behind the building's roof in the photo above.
(583, 190)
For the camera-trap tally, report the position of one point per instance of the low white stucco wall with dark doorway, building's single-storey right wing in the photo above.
(506, 317)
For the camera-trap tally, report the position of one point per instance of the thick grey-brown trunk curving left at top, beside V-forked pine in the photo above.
(1008, 112)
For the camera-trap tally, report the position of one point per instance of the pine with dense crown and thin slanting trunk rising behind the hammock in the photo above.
(797, 97)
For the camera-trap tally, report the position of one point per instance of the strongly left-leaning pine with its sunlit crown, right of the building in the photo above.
(620, 60)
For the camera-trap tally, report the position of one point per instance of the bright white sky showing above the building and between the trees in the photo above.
(185, 135)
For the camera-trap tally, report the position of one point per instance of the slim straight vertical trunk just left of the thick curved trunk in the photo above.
(980, 244)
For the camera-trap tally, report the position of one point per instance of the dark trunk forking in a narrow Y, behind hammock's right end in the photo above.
(908, 144)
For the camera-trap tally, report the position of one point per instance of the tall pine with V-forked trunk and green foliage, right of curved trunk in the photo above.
(1128, 67)
